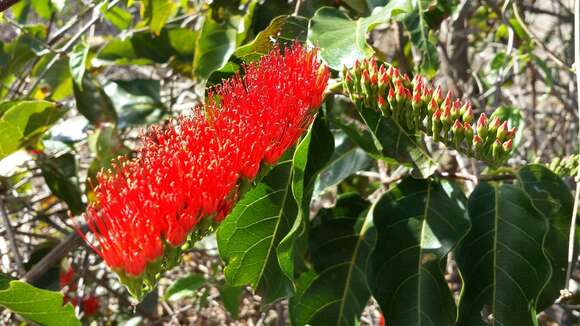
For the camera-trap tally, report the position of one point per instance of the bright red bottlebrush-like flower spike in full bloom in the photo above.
(190, 168)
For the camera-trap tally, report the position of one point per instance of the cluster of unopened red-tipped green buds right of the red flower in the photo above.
(415, 105)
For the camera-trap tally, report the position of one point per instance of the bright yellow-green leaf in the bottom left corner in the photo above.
(40, 306)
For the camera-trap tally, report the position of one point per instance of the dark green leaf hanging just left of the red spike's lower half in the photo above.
(61, 176)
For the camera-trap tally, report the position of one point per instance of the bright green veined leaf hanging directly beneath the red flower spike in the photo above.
(248, 237)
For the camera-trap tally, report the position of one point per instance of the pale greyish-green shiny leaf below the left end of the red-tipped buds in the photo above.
(346, 160)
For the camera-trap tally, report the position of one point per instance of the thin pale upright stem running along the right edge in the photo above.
(577, 195)
